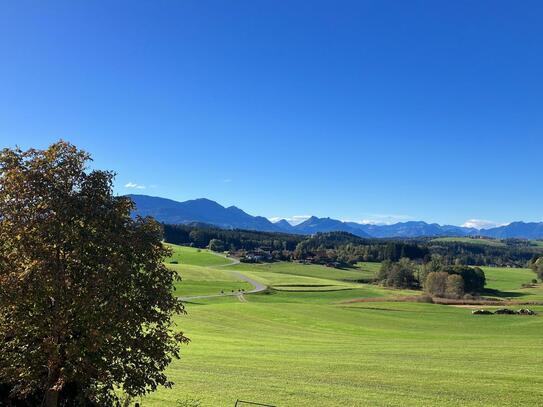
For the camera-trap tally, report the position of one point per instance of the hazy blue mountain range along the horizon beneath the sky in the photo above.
(210, 212)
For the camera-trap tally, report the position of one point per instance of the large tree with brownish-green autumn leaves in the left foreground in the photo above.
(86, 302)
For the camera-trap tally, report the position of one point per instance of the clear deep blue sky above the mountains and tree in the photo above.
(367, 110)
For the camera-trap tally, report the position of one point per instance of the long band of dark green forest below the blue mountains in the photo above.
(342, 249)
